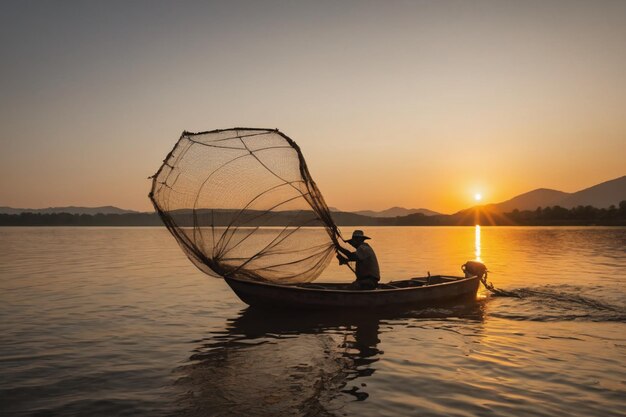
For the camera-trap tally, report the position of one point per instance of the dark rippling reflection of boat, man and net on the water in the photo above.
(281, 363)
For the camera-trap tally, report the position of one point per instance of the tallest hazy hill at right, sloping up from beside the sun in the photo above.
(602, 195)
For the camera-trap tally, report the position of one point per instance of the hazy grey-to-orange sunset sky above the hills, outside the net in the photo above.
(409, 103)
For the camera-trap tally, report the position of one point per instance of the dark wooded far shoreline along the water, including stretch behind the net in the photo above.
(548, 216)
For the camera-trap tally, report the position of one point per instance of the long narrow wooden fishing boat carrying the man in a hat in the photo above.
(408, 294)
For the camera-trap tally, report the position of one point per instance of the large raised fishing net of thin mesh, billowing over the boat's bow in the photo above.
(241, 203)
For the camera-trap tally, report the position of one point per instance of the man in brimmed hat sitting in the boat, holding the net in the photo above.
(367, 271)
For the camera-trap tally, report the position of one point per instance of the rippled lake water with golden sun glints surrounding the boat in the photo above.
(116, 321)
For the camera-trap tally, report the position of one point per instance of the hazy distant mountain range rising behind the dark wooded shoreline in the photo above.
(601, 195)
